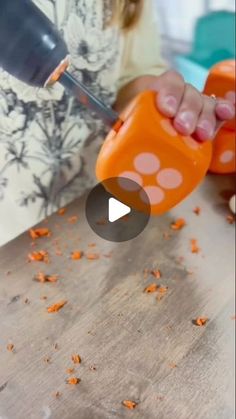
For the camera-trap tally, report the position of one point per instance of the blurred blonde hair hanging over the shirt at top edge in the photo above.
(127, 12)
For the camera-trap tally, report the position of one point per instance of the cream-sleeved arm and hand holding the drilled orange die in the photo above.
(143, 69)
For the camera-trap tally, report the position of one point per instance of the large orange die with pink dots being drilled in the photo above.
(148, 150)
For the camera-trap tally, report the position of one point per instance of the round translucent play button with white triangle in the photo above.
(115, 211)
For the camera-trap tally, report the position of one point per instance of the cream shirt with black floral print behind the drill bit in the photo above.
(48, 141)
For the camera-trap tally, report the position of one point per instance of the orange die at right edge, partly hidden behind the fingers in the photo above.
(221, 82)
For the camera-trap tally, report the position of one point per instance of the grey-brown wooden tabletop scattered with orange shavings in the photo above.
(131, 345)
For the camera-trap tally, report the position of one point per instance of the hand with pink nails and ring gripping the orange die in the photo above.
(191, 111)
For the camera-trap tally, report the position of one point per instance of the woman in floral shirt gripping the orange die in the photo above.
(49, 142)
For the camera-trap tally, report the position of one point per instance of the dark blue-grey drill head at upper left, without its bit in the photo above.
(31, 48)
